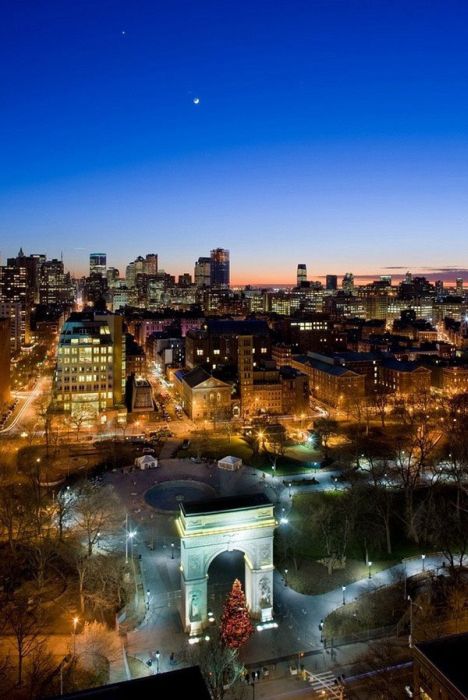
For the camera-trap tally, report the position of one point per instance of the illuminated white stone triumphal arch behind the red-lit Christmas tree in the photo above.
(209, 528)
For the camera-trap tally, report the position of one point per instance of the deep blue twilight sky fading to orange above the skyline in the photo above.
(331, 132)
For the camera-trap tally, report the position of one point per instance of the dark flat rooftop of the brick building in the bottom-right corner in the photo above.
(449, 655)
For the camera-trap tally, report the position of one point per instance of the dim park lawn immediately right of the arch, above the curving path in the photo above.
(312, 578)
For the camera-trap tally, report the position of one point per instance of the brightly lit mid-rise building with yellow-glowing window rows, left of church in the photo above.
(90, 372)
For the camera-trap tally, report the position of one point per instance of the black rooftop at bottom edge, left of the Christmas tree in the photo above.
(187, 682)
